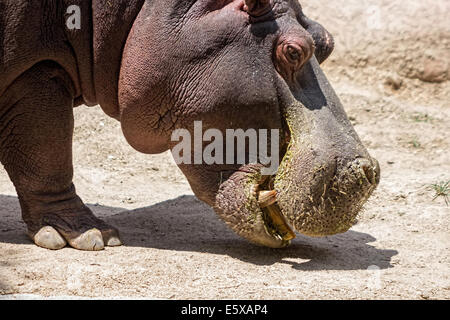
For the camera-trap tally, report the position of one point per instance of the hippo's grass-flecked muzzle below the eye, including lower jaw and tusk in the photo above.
(325, 176)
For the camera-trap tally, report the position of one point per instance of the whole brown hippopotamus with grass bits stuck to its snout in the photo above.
(158, 66)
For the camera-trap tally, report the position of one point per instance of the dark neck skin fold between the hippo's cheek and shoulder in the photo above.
(111, 23)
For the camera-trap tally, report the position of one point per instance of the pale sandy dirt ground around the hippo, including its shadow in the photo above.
(391, 68)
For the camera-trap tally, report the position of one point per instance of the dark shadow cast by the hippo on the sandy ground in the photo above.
(186, 224)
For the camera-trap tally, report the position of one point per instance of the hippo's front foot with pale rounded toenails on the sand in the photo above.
(82, 231)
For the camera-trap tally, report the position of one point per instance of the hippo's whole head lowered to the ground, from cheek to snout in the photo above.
(250, 65)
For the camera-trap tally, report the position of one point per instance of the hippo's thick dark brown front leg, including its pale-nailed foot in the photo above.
(36, 127)
